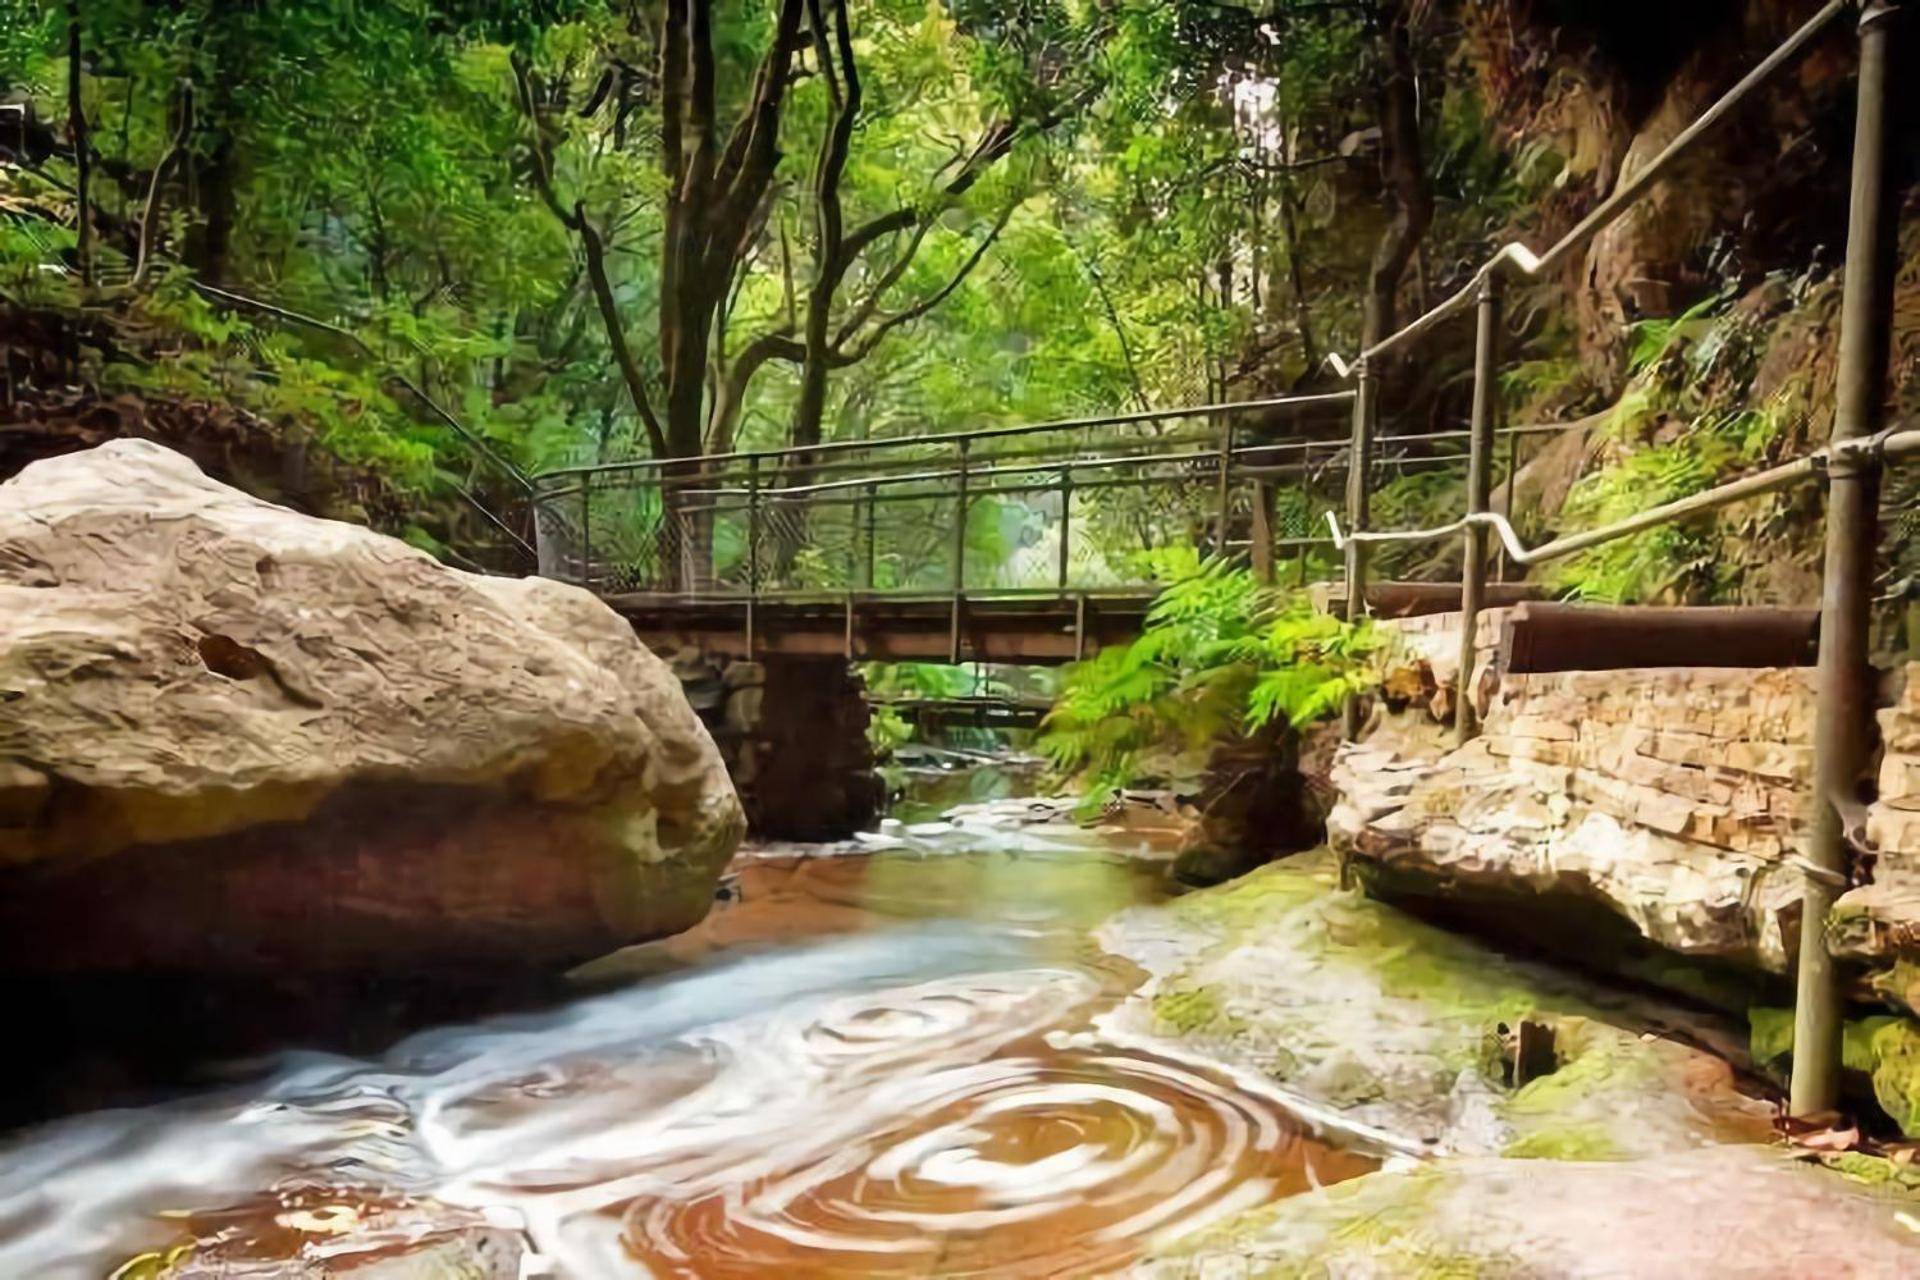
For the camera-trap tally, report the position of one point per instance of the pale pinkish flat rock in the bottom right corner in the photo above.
(1727, 1212)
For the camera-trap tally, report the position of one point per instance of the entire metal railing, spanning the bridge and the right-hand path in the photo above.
(905, 515)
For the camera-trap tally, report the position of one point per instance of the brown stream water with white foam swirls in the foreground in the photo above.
(863, 1066)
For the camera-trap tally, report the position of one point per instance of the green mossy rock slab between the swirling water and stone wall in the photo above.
(1385, 1022)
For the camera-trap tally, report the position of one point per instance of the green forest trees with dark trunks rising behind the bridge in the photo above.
(600, 229)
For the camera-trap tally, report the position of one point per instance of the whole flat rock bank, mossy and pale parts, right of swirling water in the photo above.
(1639, 1154)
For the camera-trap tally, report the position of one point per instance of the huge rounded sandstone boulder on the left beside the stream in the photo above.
(237, 738)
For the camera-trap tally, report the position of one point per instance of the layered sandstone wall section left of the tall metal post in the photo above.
(1666, 797)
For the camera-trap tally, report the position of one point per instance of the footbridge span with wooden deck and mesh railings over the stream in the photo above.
(1026, 544)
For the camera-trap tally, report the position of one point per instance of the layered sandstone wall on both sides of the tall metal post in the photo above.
(1671, 799)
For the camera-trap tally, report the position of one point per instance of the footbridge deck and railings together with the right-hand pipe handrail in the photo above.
(1028, 544)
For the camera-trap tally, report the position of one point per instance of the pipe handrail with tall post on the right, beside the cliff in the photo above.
(1852, 467)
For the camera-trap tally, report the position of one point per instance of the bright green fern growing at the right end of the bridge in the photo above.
(1220, 655)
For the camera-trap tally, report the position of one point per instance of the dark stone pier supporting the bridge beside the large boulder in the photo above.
(792, 730)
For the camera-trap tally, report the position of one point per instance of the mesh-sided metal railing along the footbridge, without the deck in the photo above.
(1053, 508)
